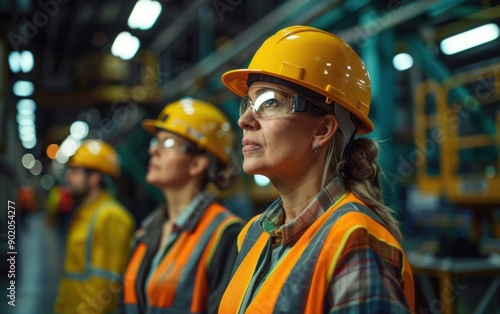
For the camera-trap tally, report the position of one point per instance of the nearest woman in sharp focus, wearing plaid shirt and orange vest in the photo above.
(328, 244)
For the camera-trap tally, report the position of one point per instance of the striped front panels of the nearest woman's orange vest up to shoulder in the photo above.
(290, 281)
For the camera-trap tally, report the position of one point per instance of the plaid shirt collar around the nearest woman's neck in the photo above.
(272, 219)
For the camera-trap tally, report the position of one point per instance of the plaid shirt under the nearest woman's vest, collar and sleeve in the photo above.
(367, 276)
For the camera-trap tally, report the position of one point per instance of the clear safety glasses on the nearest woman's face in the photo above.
(271, 103)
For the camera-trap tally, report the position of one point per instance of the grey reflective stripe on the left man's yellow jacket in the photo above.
(89, 269)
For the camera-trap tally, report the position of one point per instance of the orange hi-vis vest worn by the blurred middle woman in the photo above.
(180, 282)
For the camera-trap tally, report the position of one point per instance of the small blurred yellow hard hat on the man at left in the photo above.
(96, 155)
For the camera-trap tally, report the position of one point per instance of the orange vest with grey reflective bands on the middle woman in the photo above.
(197, 262)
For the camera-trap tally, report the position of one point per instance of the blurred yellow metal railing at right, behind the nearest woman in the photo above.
(442, 128)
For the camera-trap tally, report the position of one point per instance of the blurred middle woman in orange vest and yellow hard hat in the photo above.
(185, 250)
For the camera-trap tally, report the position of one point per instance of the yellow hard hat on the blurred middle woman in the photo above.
(199, 122)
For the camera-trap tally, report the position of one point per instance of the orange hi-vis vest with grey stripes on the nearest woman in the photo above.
(300, 280)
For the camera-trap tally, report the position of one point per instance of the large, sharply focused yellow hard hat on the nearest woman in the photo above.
(316, 60)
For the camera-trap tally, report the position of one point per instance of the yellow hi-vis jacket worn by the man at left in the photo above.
(97, 250)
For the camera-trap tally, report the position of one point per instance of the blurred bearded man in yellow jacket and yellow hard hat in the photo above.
(98, 241)
